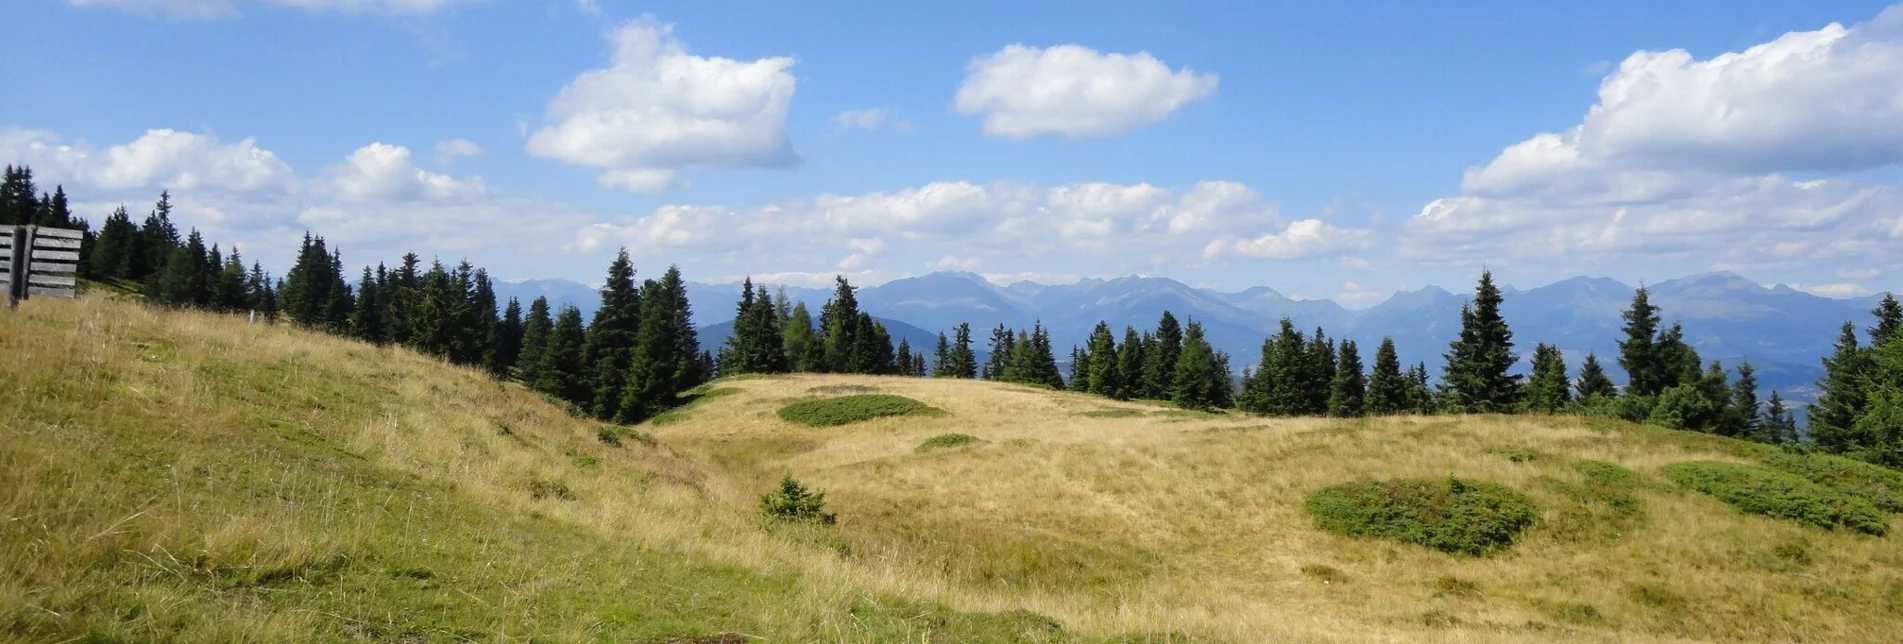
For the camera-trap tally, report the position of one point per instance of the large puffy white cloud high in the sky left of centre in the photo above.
(659, 110)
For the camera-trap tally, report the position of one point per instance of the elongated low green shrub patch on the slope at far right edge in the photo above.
(1778, 494)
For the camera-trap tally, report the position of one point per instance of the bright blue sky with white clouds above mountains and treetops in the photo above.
(1324, 150)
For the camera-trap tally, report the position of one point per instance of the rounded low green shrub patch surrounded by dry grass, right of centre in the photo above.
(1451, 515)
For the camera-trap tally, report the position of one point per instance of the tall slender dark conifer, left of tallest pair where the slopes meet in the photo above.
(612, 338)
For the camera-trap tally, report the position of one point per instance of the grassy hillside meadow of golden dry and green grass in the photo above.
(189, 477)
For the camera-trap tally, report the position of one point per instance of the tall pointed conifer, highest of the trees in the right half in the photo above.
(1476, 376)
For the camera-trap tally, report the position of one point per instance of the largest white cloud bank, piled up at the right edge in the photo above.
(1697, 161)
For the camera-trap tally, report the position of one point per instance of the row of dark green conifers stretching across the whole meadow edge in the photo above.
(640, 352)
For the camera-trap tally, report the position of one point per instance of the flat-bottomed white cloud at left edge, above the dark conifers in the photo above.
(159, 159)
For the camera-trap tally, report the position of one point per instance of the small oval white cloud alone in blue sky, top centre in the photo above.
(1076, 92)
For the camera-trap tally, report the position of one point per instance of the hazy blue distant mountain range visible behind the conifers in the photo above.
(1784, 332)
